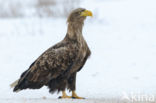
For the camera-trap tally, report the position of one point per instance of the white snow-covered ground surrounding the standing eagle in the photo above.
(121, 36)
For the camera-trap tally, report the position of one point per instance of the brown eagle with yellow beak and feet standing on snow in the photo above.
(57, 67)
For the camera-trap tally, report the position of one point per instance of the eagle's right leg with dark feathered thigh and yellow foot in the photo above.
(72, 86)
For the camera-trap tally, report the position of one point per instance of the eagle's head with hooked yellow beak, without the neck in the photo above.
(79, 15)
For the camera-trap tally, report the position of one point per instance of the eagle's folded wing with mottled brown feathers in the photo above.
(52, 63)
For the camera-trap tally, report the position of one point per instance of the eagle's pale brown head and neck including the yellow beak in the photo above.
(75, 22)
